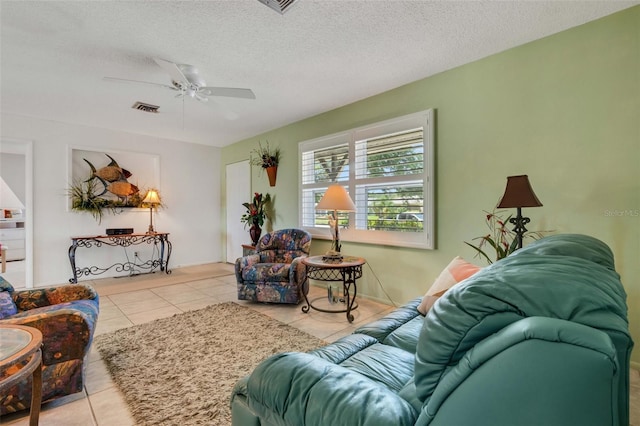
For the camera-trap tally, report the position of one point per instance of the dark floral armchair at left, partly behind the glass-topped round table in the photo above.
(66, 316)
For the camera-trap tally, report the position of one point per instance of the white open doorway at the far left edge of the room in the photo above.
(16, 223)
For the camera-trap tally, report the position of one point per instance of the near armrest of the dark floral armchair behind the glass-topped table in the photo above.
(67, 328)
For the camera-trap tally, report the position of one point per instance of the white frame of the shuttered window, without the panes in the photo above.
(420, 240)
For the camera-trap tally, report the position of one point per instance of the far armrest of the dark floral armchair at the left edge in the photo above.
(41, 297)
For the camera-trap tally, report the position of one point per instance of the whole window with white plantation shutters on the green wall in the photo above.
(387, 168)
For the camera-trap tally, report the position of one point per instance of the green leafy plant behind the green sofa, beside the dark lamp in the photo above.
(500, 241)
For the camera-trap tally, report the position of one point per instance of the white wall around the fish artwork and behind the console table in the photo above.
(189, 186)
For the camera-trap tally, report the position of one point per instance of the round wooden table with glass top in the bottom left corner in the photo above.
(18, 344)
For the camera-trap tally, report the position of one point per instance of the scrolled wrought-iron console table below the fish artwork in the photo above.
(158, 239)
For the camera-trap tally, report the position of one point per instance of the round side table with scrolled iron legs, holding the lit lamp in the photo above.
(348, 270)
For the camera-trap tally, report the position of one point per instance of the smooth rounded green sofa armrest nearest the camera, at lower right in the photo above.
(501, 380)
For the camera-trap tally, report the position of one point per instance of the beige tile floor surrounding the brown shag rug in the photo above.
(138, 299)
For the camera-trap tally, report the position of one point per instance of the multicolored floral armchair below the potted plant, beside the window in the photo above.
(275, 273)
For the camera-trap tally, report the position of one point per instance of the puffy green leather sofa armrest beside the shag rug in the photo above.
(299, 388)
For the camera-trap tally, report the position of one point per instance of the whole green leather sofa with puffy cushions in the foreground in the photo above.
(538, 338)
